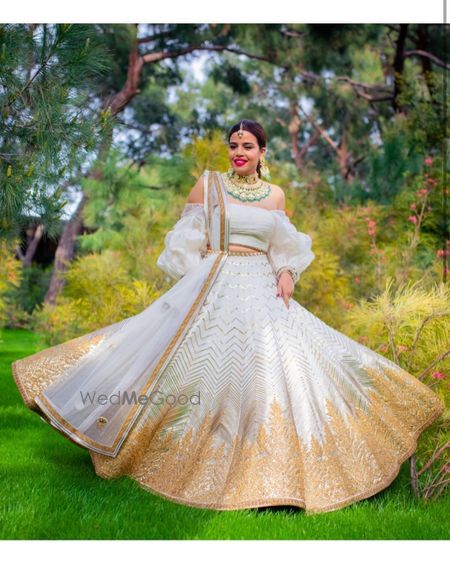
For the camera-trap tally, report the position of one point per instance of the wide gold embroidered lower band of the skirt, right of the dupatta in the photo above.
(358, 457)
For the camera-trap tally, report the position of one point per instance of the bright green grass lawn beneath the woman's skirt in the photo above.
(49, 490)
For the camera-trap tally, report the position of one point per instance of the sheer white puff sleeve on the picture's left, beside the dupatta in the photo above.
(186, 243)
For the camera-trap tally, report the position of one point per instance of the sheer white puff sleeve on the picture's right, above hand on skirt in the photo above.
(289, 249)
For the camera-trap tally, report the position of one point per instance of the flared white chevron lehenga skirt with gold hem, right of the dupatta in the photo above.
(263, 405)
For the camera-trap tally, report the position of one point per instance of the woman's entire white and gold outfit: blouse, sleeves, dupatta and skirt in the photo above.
(252, 403)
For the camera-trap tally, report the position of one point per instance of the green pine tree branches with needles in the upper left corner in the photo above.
(49, 123)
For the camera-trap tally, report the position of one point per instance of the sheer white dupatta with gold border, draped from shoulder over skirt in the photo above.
(99, 381)
